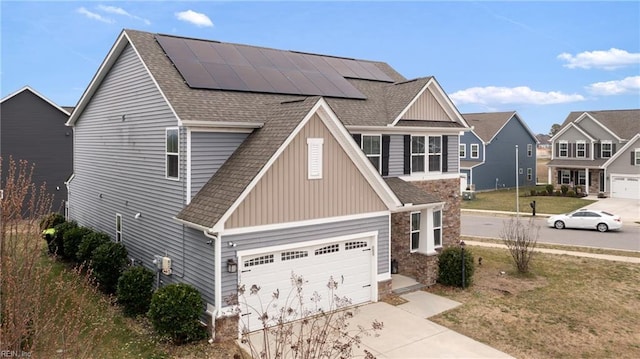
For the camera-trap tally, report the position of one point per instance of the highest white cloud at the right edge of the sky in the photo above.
(608, 60)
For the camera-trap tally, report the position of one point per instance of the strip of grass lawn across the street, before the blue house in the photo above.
(505, 200)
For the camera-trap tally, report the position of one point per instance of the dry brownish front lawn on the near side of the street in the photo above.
(568, 307)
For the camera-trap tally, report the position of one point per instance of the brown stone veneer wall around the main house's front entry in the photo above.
(424, 268)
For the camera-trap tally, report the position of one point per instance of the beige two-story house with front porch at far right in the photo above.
(599, 152)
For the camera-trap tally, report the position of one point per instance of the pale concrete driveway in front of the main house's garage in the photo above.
(408, 334)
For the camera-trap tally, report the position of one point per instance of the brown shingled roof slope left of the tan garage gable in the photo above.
(228, 183)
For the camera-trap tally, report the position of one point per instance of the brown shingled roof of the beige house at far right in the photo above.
(624, 123)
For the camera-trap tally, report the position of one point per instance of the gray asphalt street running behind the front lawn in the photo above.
(490, 226)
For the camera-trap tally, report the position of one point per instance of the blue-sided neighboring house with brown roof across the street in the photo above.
(488, 153)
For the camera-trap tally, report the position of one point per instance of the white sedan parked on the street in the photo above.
(587, 219)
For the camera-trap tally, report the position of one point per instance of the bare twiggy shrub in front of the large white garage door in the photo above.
(301, 329)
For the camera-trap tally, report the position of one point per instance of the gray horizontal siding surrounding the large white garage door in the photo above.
(277, 237)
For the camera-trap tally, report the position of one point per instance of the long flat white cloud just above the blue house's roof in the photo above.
(509, 95)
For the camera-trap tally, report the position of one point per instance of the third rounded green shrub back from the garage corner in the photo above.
(108, 261)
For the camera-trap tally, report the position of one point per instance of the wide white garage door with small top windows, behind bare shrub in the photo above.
(349, 263)
